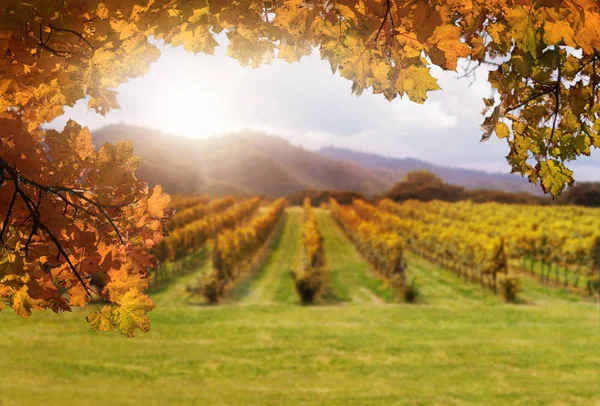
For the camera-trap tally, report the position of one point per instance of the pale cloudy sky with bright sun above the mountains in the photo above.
(201, 96)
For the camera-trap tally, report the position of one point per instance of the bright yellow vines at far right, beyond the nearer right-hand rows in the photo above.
(563, 235)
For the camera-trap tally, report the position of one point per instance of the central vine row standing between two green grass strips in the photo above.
(310, 279)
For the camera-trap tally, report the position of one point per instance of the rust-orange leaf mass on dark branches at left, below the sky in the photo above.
(77, 215)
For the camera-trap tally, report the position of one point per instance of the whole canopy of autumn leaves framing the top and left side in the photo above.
(73, 213)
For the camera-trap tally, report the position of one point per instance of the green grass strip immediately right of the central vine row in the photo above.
(349, 273)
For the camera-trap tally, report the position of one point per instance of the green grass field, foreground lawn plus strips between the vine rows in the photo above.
(459, 345)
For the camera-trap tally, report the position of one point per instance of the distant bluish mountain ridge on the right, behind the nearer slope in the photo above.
(393, 169)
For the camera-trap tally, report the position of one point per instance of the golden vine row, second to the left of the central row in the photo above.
(194, 235)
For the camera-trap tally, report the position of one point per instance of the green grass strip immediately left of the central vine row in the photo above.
(264, 286)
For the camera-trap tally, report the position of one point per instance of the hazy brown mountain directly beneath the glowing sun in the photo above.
(241, 164)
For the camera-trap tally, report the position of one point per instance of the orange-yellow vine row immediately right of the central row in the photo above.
(382, 248)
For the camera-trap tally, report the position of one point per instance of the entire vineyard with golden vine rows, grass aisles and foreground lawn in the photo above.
(434, 295)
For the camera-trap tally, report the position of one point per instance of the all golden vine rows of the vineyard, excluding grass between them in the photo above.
(491, 245)
